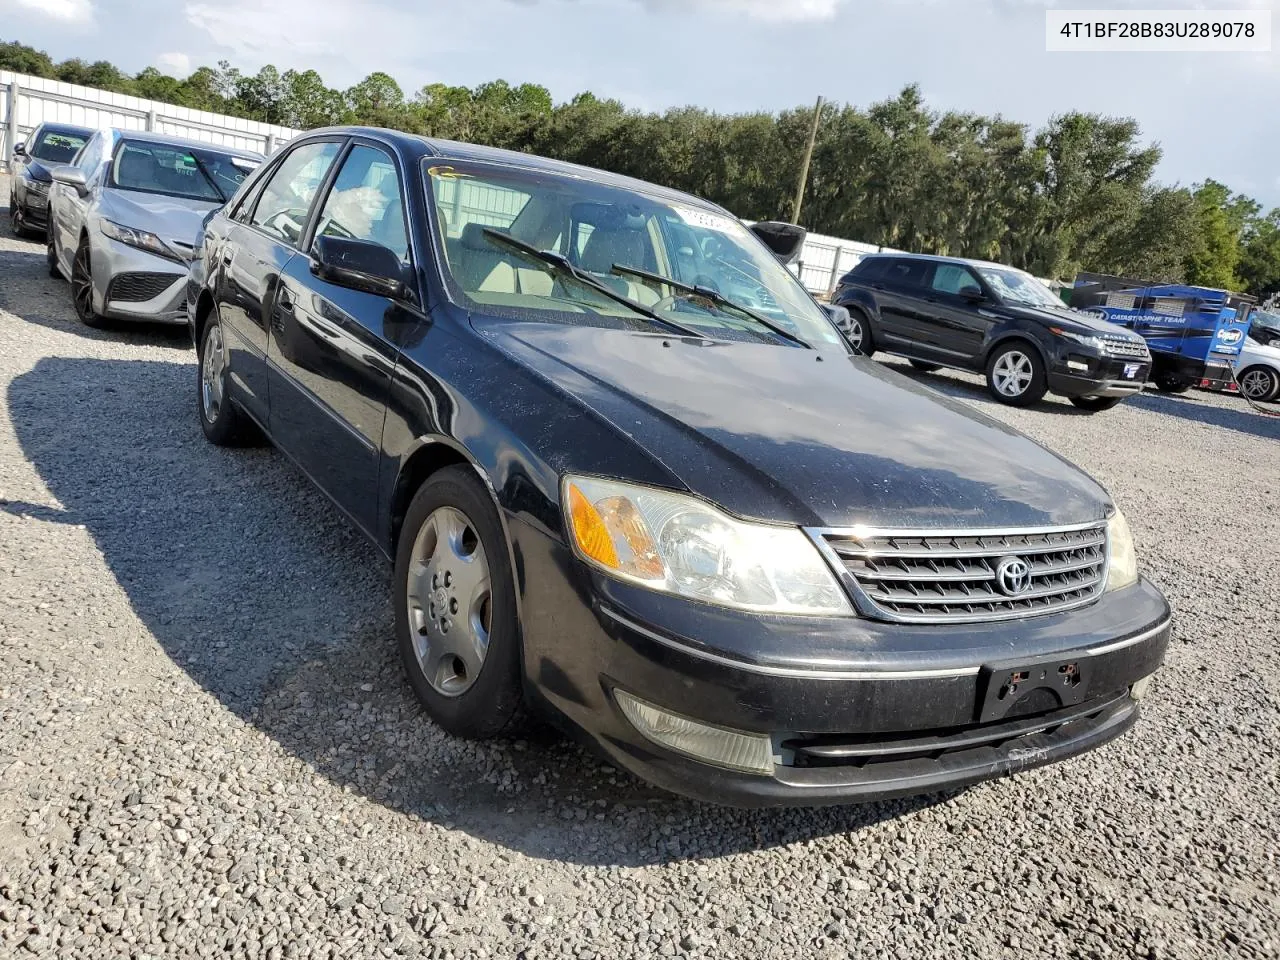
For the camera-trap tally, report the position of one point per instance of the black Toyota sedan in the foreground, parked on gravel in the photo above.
(630, 477)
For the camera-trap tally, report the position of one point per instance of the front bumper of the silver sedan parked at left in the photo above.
(134, 285)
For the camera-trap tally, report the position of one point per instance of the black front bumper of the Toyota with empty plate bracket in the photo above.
(858, 710)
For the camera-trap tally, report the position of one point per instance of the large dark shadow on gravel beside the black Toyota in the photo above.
(257, 588)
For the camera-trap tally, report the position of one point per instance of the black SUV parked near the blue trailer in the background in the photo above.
(994, 319)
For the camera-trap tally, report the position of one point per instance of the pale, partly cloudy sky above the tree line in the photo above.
(1215, 115)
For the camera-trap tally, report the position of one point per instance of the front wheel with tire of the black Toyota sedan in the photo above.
(469, 689)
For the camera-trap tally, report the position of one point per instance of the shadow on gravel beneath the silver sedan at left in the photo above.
(28, 282)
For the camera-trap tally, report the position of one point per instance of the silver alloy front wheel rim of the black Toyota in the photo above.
(450, 597)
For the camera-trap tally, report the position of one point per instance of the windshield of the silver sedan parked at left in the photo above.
(179, 172)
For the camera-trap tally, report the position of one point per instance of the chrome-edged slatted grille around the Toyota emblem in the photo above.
(952, 578)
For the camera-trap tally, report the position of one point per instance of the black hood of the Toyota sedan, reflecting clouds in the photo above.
(806, 437)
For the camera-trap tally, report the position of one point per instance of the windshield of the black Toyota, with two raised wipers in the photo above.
(597, 227)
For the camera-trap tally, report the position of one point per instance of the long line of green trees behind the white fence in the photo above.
(1078, 194)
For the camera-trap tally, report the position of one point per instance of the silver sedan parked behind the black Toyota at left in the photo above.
(125, 216)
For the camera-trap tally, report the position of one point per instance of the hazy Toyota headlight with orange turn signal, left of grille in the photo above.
(683, 546)
